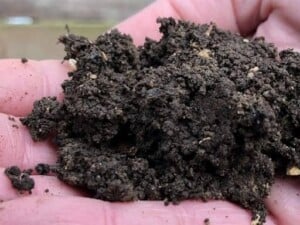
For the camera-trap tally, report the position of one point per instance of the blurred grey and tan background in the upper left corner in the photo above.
(30, 28)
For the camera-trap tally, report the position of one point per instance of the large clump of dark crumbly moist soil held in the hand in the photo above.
(200, 114)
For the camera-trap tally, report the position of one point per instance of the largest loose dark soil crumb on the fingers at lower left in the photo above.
(20, 180)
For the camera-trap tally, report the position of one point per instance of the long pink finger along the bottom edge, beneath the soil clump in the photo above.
(54, 211)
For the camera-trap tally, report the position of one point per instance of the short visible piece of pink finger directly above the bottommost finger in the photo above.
(44, 185)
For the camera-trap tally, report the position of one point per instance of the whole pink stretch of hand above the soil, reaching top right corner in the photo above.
(276, 20)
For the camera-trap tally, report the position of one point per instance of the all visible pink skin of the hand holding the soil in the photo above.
(21, 84)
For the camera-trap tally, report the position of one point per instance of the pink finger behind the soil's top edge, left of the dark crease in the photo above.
(223, 13)
